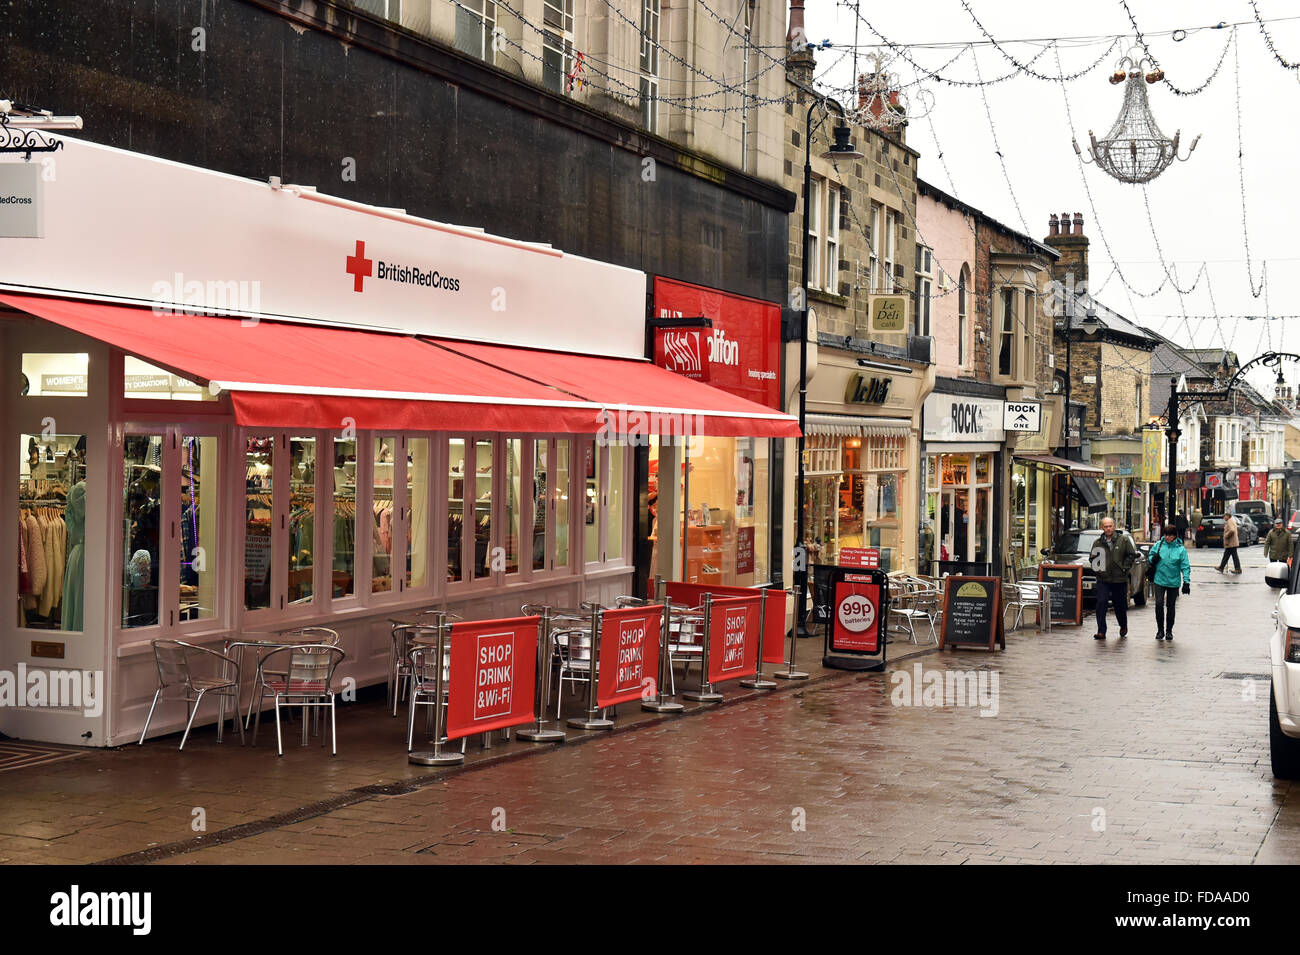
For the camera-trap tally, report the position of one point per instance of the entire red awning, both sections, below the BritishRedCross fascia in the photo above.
(283, 375)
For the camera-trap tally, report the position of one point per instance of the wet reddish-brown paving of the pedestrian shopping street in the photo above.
(1119, 752)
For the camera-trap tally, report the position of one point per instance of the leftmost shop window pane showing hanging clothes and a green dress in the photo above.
(53, 524)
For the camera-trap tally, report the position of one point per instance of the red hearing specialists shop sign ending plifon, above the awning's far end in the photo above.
(742, 351)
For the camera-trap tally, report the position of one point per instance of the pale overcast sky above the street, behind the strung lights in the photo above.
(1197, 206)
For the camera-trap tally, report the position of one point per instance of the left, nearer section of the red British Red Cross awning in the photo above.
(283, 375)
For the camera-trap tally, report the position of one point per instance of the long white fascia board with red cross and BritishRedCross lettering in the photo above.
(122, 227)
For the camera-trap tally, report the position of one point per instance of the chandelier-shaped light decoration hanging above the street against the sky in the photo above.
(1136, 150)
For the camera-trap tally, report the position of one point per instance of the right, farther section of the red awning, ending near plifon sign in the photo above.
(626, 388)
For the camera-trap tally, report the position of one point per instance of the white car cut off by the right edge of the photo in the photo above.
(1285, 665)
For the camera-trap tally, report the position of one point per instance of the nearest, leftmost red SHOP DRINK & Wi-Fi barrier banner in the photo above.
(493, 675)
